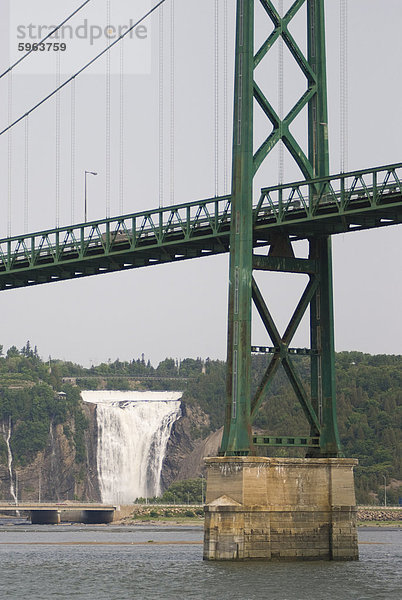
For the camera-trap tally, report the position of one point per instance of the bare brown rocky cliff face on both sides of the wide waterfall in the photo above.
(55, 476)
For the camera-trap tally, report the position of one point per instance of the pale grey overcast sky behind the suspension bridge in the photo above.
(180, 310)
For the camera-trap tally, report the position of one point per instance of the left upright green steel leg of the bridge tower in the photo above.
(237, 433)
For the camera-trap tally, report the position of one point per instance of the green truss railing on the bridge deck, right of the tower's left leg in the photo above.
(336, 194)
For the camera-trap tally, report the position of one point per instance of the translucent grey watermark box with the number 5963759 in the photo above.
(96, 26)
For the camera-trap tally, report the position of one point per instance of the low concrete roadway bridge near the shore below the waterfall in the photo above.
(52, 513)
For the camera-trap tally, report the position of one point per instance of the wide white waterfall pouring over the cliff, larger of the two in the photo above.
(133, 432)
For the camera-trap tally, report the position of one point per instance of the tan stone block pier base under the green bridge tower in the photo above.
(280, 508)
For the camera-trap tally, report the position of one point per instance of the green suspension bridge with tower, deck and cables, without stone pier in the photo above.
(258, 228)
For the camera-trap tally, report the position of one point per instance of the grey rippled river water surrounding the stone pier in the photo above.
(153, 562)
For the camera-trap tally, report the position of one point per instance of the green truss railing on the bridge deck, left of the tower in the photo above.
(183, 222)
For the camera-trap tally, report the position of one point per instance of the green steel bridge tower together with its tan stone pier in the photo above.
(261, 507)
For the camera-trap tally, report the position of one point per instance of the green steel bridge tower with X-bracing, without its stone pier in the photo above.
(243, 290)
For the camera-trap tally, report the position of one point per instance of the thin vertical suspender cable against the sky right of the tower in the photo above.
(343, 86)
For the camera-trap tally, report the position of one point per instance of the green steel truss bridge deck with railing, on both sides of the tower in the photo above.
(352, 201)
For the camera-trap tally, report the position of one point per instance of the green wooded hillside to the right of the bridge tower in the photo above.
(370, 416)
